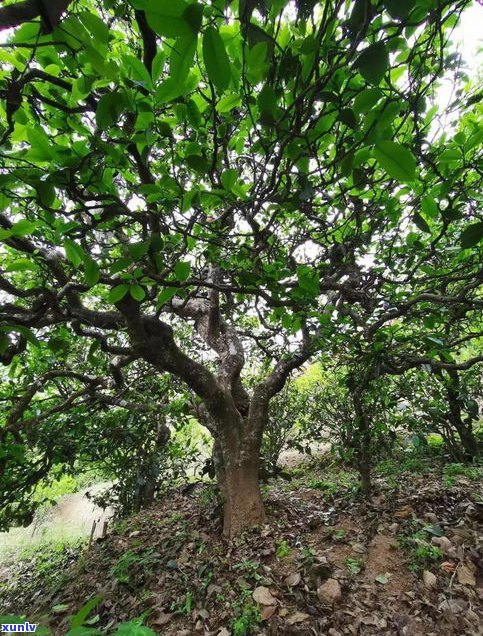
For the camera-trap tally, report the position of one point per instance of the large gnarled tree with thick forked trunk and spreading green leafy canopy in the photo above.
(219, 193)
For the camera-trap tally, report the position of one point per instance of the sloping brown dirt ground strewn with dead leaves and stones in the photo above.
(407, 562)
